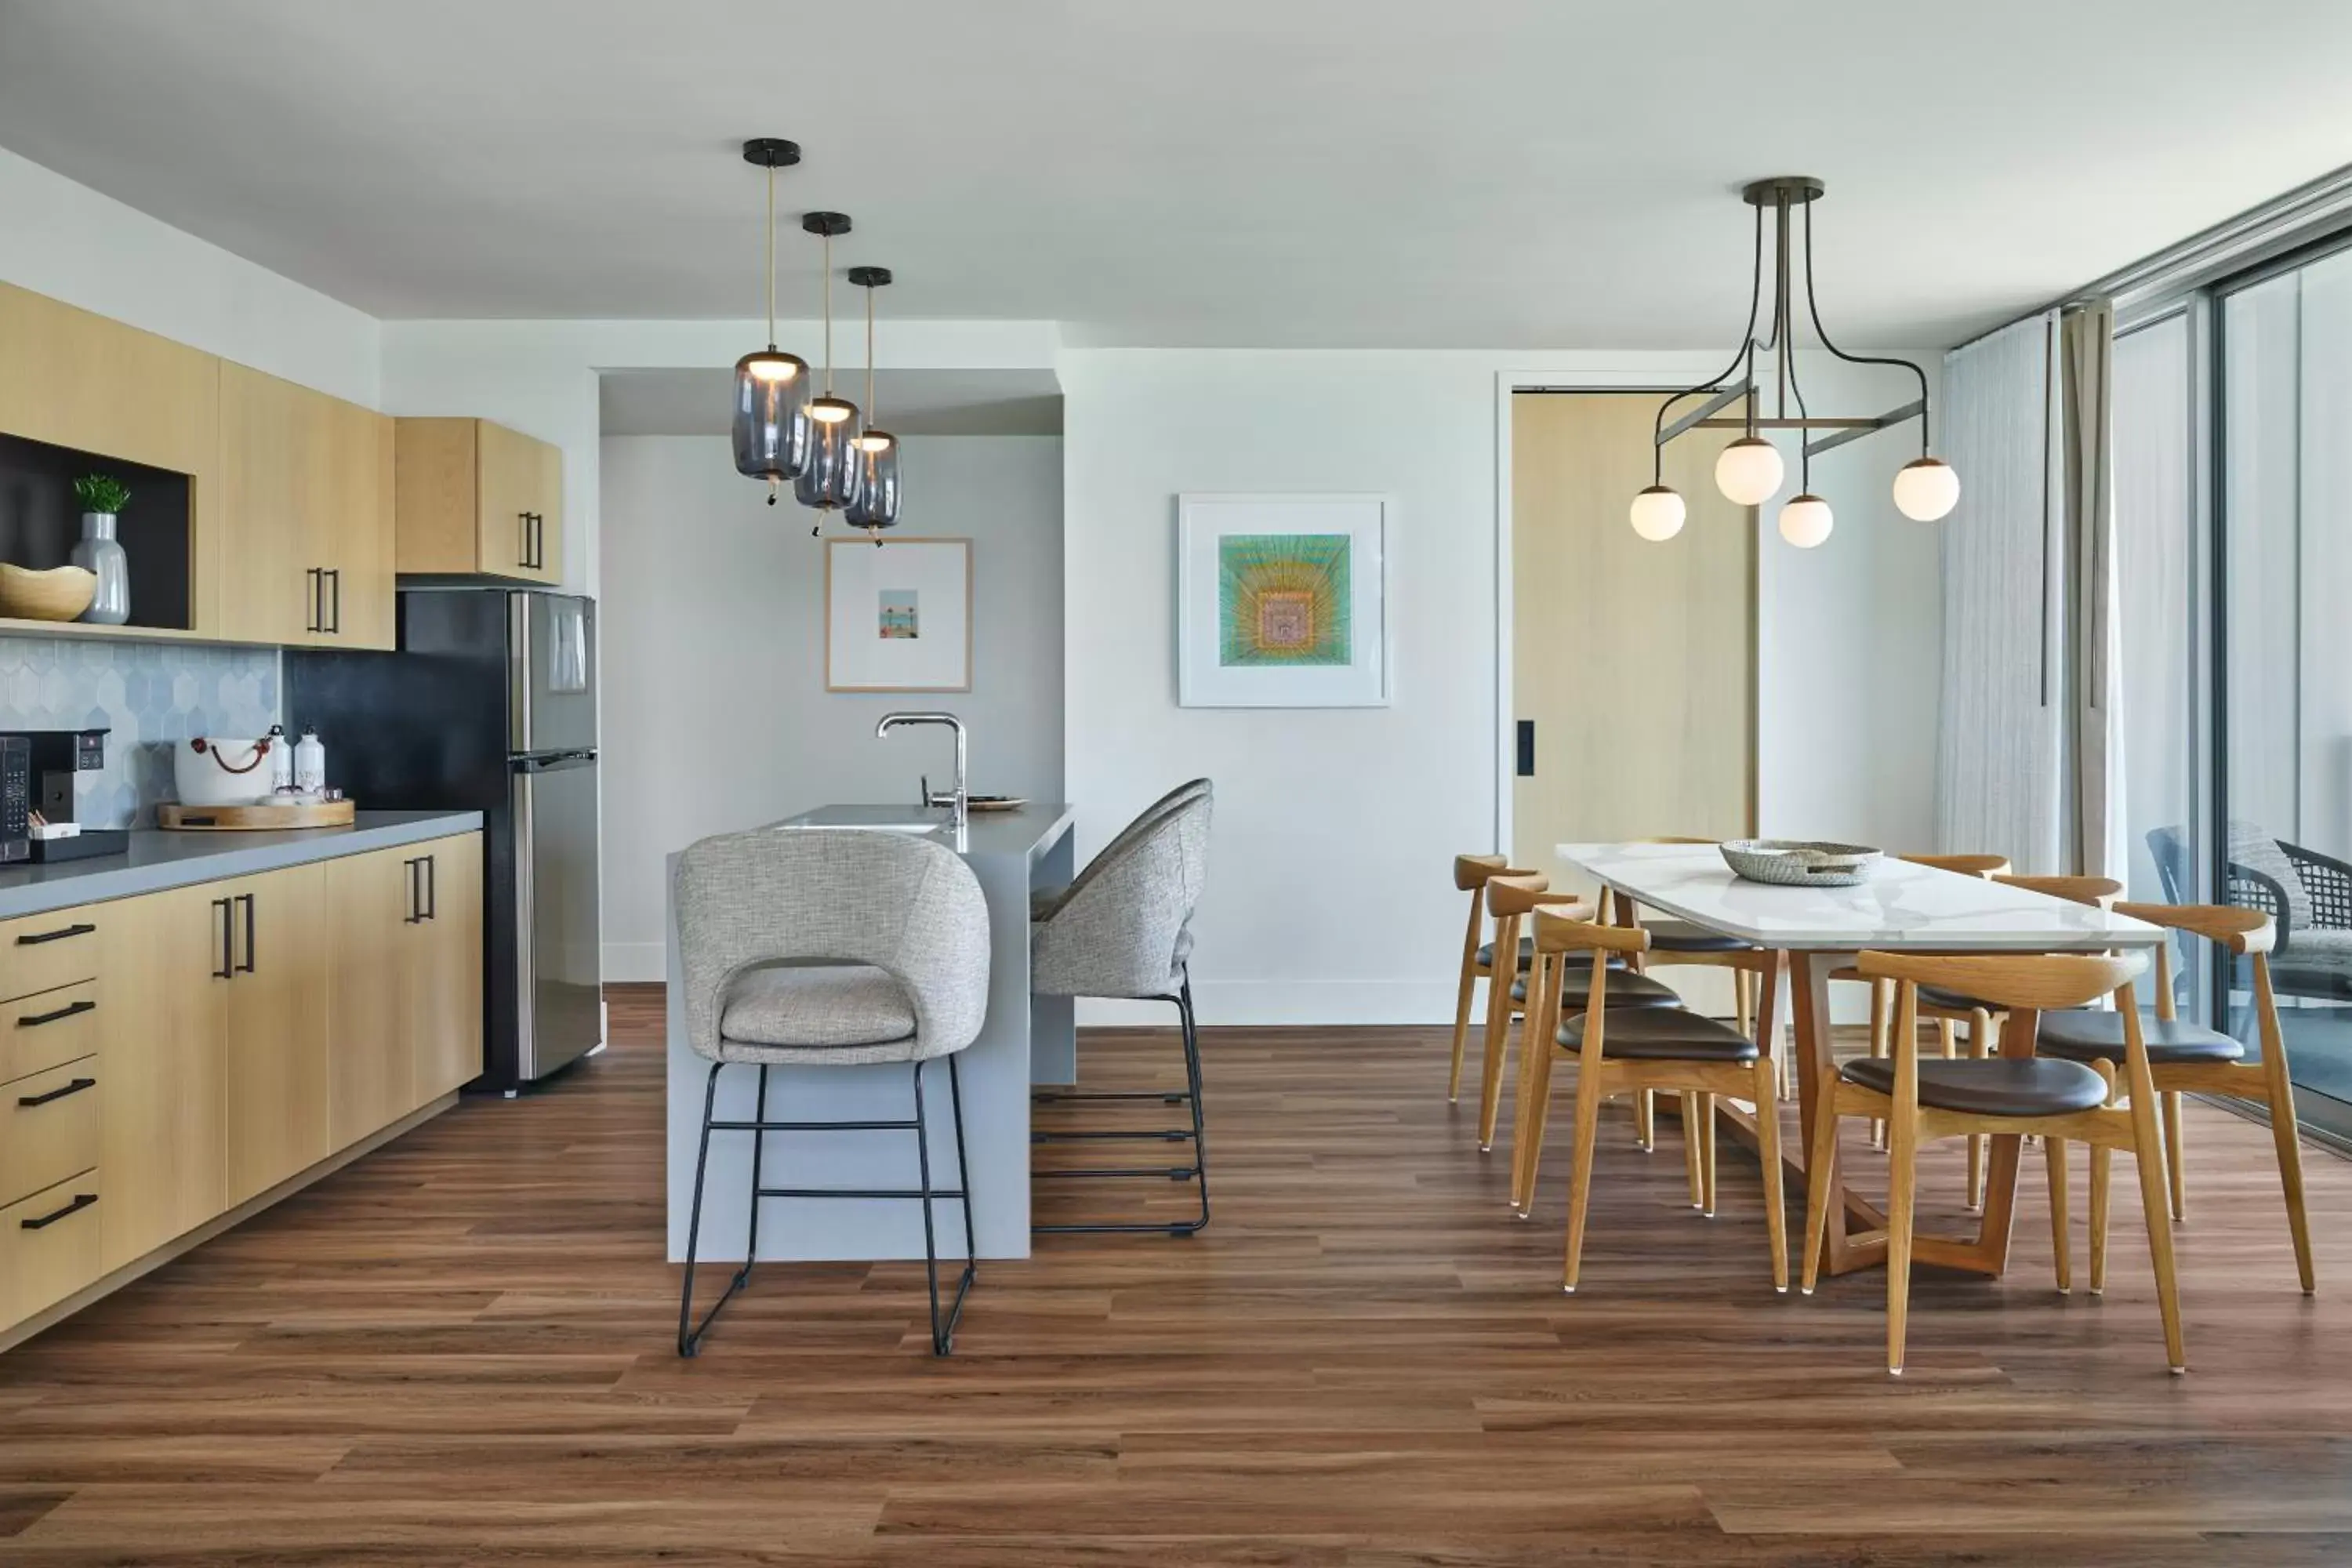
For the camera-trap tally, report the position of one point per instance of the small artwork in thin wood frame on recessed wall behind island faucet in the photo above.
(900, 615)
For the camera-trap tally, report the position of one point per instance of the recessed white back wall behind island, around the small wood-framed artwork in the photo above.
(716, 706)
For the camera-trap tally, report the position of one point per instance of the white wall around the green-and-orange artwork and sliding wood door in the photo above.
(1328, 894)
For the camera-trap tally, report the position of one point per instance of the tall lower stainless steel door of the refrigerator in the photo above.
(559, 958)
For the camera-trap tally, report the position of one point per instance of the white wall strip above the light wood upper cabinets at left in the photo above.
(67, 241)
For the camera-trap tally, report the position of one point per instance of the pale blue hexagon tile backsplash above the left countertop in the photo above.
(149, 695)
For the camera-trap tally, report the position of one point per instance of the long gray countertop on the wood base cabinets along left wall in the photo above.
(159, 862)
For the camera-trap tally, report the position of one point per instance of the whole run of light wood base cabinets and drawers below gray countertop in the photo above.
(206, 1045)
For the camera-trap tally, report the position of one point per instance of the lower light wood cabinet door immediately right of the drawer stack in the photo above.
(161, 1026)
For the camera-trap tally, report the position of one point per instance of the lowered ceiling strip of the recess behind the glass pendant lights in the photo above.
(907, 401)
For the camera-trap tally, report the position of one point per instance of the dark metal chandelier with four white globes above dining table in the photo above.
(1751, 469)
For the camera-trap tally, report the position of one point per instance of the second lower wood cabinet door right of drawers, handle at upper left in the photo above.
(274, 1040)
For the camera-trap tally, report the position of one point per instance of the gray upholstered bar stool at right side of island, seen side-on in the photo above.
(1125, 932)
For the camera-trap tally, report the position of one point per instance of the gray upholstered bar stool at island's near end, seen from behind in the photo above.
(831, 951)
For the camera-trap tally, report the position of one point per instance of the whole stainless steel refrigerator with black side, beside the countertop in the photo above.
(488, 704)
